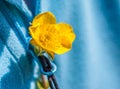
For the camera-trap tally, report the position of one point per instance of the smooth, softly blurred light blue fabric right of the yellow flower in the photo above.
(94, 61)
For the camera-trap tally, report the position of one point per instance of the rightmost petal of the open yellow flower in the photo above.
(66, 37)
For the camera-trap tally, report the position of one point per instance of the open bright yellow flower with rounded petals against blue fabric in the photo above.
(54, 38)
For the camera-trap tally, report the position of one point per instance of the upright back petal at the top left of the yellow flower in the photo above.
(44, 18)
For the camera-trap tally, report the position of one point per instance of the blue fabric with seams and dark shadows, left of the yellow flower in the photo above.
(18, 68)
